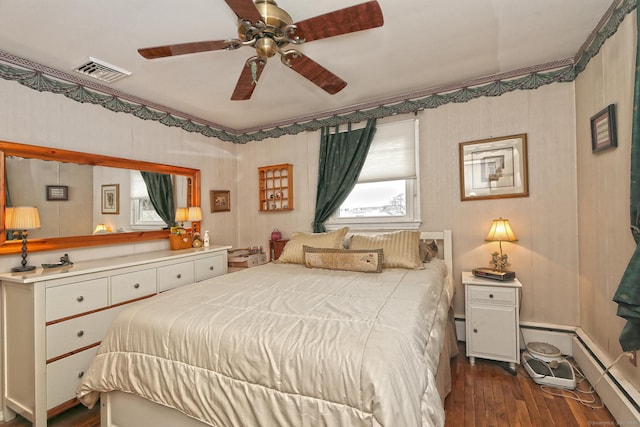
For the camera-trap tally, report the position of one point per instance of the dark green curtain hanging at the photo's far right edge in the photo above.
(628, 293)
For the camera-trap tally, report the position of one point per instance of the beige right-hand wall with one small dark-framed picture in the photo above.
(605, 241)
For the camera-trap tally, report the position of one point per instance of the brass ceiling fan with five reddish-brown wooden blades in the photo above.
(269, 29)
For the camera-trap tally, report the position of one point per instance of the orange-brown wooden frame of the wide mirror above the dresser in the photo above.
(55, 154)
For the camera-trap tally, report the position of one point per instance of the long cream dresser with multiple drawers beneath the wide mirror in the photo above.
(54, 319)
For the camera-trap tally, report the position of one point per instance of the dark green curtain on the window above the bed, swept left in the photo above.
(342, 155)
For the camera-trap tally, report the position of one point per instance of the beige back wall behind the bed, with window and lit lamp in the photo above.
(545, 258)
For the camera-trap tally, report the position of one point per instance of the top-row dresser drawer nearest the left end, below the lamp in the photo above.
(75, 298)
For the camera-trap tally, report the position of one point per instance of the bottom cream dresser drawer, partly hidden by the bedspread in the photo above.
(64, 375)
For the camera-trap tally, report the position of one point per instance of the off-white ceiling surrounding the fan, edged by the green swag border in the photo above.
(422, 44)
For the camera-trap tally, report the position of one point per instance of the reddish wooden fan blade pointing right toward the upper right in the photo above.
(360, 17)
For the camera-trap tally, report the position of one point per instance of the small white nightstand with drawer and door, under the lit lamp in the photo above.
(492, 312)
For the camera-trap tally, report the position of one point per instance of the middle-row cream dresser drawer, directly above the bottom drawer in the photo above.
(72, 334)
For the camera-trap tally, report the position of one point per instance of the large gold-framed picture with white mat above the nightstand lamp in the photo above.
(494, 168)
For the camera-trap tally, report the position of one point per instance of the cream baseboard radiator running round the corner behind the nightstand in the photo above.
(619, 395)
